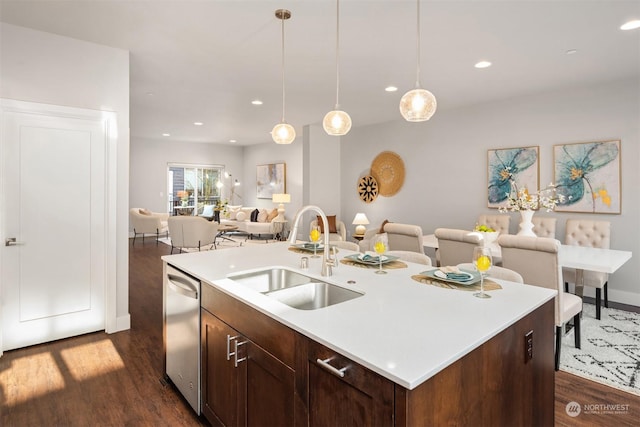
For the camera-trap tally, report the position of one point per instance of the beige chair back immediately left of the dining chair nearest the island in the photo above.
(455, 246)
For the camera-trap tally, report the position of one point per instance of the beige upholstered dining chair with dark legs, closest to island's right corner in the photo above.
(536, 259)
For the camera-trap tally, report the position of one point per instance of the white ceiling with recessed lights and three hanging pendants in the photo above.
(207, 60)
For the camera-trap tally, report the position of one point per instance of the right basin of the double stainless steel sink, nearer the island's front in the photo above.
(314, 295)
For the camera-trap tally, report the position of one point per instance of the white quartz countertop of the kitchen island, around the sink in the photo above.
(404, 330)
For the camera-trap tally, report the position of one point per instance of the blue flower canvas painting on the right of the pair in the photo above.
(587, 174)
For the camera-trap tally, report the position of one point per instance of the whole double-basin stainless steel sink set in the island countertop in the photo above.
(294, 289)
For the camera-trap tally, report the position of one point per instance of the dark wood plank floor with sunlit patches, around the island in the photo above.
(114, 380)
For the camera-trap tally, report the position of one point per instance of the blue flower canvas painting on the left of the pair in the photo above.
(511, 169)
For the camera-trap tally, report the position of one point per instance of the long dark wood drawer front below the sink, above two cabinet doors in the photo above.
(269, 334)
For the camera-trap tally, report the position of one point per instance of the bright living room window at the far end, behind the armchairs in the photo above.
(193, 186)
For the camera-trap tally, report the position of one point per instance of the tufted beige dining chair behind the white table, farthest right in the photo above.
(596, 234)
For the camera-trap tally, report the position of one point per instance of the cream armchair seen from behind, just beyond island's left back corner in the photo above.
(190, 232)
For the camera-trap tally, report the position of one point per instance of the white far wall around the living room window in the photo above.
(150, 158)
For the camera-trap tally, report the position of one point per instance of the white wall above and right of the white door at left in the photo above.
(50, 69)
